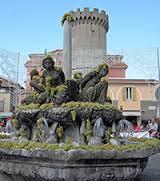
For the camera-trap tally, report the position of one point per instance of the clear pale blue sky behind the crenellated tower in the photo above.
(31, 26)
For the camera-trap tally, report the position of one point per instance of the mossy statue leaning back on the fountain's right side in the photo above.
(92, 87)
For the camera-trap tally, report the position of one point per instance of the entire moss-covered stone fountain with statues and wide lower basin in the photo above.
(64, 129)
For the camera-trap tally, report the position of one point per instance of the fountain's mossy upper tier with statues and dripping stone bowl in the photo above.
(80, 103)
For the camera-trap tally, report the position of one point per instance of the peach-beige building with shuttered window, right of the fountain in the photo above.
(135, 97)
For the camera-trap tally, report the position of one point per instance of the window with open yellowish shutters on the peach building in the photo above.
(129, 93)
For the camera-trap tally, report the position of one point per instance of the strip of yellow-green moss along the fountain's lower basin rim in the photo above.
(146, 143)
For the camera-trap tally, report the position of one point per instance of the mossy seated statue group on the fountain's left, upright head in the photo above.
(48, 87)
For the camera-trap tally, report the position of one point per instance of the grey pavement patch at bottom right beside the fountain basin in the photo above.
(152, 171)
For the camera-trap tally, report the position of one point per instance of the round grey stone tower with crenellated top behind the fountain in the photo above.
(89, 30)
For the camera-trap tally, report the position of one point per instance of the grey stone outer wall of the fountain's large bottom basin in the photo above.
(72, 165)
